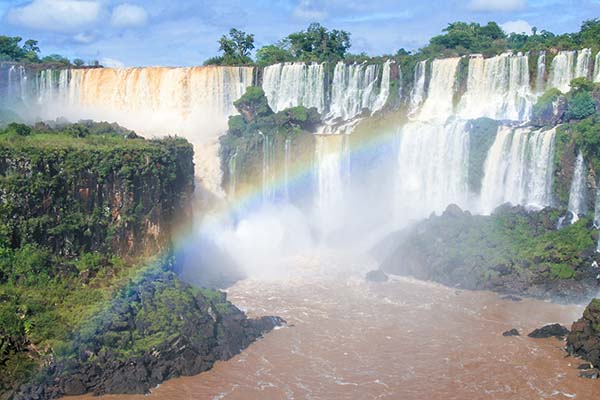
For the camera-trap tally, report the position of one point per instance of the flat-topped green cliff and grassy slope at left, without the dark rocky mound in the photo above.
(76, 200)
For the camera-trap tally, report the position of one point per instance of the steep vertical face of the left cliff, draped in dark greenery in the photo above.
(124, 198)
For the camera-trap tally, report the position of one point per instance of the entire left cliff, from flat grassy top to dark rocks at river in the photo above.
(83, 306)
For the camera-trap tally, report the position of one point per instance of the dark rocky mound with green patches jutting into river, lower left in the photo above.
(157, 329)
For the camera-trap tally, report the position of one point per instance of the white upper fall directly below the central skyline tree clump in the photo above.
(295, 84)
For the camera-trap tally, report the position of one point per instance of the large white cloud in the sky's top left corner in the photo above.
(55, 15)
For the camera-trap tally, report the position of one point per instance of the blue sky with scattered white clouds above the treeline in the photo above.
(185, 32)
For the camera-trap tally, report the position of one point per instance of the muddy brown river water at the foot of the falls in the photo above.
(404, 339)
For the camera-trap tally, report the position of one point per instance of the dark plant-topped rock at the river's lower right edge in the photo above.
(584, 339)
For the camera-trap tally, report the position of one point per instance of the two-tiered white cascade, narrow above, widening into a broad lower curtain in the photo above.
(433, 150)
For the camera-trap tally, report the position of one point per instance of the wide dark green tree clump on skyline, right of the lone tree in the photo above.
(318, 44)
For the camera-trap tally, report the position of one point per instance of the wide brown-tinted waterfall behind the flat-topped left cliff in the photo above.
(191, 102)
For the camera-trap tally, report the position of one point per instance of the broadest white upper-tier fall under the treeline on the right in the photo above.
(498, 88)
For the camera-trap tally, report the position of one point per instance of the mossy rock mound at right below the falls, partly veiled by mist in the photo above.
(513, 251)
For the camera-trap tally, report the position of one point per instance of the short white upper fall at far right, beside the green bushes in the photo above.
(568, 65)
